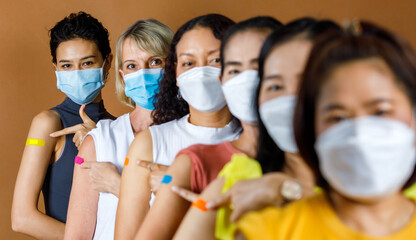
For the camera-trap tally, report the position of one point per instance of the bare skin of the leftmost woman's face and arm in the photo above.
(73, 54)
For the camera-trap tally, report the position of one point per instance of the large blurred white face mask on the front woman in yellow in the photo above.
(367, 157)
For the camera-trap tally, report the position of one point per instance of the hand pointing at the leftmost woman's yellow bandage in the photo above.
(80, 130)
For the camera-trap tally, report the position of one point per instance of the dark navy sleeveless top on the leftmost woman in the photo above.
(58, 180)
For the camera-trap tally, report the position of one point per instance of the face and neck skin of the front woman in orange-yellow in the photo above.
(366, 88)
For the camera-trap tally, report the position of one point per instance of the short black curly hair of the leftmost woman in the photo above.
(79, 25)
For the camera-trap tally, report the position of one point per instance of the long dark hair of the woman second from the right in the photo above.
(269, 155)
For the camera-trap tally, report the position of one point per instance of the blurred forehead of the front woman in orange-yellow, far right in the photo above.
(360, 80)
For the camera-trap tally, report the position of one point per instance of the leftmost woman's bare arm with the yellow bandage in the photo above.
(26, 217)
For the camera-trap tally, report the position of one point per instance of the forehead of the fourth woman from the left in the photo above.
(246, 44)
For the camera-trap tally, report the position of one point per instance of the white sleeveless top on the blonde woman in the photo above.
(112, 139)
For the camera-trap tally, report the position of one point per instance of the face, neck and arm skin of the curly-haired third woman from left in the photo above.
(197, 47)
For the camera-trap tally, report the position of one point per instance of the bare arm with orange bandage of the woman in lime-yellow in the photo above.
(198, 224)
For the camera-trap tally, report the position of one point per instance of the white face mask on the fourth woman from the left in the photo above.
(240, 93)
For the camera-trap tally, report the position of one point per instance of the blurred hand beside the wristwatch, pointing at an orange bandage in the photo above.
(251, 195)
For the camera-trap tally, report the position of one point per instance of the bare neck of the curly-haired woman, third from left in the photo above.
(217, 119)
